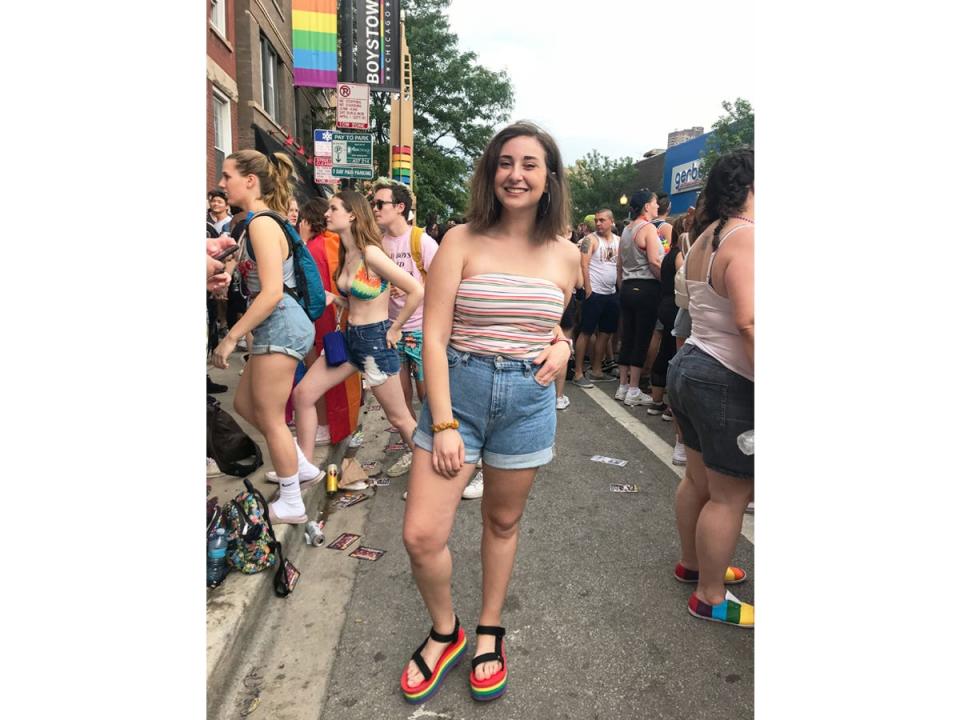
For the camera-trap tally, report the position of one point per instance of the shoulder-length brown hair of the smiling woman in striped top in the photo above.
(553, 210)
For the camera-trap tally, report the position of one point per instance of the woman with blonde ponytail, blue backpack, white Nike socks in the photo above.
(282, 332)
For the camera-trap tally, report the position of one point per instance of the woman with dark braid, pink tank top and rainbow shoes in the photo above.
(710, 382)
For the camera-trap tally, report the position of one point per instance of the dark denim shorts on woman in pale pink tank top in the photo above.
(713, 406)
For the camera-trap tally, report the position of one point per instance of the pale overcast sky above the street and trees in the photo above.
(613, 75)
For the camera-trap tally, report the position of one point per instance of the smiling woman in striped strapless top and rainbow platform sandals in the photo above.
(492, 347)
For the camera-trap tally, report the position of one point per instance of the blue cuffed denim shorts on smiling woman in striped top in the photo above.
(505, 415)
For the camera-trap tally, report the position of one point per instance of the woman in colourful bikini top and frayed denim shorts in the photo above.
(364, 276)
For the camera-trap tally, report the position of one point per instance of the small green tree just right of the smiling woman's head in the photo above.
(597, 182)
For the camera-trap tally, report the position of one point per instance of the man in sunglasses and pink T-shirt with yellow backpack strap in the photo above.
(413, 250)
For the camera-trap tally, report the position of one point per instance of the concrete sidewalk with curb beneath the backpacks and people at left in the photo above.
(241, 601)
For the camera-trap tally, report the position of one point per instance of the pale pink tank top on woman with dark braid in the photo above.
(714, 330)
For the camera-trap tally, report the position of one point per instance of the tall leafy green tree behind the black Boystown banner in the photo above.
(456, 105)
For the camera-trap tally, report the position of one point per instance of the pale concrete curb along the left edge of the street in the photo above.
(244, 598)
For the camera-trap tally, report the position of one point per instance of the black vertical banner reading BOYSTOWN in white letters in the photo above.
(377, 62)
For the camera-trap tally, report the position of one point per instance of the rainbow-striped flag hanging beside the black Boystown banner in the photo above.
(315, 43)
